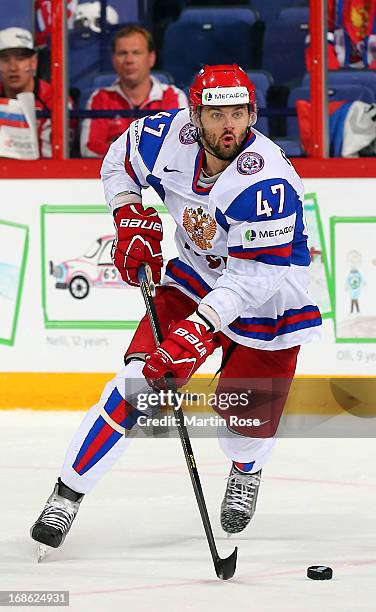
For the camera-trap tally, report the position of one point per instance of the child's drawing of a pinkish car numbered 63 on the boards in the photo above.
(93, 269)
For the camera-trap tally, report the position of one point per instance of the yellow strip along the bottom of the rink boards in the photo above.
(79, 391)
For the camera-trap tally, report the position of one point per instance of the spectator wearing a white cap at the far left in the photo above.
(18, 66)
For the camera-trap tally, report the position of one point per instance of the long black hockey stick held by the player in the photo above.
(225, 568)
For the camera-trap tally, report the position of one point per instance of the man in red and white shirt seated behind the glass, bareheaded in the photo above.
(133, 57)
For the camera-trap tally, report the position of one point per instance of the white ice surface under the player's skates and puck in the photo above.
(138, 543)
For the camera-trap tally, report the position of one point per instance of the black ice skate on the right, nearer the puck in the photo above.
(239, 502)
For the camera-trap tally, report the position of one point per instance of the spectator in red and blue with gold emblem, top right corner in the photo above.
(351, 35)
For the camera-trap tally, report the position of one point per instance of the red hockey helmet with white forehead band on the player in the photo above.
(223, 84)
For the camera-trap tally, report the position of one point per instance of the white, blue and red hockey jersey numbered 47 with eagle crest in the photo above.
(242, 242)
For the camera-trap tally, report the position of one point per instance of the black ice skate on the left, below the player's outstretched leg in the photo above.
(56, 519)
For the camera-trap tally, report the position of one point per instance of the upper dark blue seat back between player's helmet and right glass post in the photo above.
(284, 45)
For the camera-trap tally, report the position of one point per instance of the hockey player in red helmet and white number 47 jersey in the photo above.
(239, 282)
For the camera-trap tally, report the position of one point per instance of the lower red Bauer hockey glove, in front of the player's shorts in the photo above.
(185, 348)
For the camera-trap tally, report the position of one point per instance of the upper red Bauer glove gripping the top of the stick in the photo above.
(139, 235)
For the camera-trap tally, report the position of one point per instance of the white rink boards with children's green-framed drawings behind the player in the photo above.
(57, 350)
